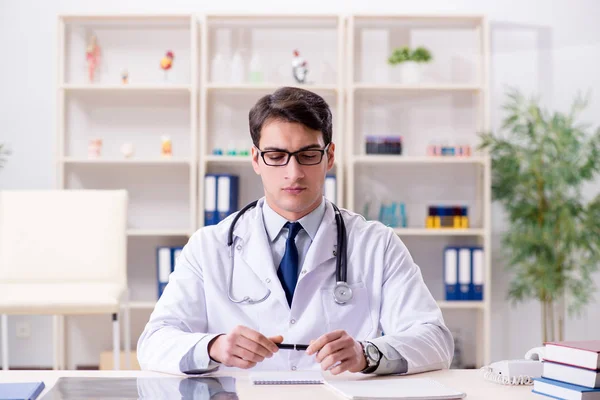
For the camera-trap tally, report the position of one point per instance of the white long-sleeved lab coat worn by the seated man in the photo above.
(389, 296)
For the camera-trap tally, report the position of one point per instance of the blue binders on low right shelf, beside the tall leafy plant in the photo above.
(463, 273)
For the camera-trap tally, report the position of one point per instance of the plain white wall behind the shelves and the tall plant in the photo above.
(548, 47)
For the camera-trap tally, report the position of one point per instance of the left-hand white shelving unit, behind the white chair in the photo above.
(162, 191)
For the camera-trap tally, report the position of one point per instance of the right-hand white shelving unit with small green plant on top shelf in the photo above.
(449, 103)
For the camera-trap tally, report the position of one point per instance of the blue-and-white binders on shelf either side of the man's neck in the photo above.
(221, 196)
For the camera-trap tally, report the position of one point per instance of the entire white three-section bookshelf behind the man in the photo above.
(202, 110)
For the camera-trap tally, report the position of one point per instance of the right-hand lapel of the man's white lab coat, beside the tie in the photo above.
(324, 245)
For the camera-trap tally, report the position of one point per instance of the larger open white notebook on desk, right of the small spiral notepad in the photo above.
(396, 389)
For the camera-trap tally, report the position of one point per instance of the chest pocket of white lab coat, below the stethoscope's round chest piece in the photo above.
(354, 317)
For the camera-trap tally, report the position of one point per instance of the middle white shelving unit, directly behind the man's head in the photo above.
(226, 99)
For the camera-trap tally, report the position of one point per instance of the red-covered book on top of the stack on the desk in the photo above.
(583, 354)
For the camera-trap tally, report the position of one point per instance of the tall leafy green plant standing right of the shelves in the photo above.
(539, 167)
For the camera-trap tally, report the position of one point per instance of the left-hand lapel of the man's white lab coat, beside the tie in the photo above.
(256, 251)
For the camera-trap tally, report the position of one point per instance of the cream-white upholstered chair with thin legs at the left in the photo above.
(63, 252)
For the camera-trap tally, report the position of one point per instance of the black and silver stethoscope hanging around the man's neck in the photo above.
(342, 293)
